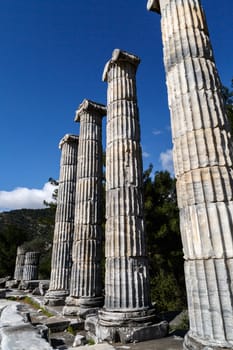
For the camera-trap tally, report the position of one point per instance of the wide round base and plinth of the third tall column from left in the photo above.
(126, 327)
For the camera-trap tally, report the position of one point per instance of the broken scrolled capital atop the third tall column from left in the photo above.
(120, 56)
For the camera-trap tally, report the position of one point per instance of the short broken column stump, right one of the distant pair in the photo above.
(31, 264)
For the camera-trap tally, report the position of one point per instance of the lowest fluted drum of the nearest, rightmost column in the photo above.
(209, 299)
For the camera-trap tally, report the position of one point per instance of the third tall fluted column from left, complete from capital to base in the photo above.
(127, 295)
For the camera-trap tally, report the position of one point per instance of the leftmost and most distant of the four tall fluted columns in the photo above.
(64, 223)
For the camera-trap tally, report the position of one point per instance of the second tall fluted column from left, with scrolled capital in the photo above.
(86, 286)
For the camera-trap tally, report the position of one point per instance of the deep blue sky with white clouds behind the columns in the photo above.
(53, 54)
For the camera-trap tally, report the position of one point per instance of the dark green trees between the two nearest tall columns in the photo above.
(164, 241)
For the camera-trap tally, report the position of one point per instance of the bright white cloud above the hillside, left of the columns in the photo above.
(26, 198)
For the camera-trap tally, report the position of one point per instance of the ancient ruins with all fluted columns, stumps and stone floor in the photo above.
(99, 285)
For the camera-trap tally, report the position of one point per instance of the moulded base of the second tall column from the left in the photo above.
(82, 307)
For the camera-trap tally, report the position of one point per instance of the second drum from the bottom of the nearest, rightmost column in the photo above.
(206, 230)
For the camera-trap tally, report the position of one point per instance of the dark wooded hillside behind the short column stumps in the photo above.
(30, 227)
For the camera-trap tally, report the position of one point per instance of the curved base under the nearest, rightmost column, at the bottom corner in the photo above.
(194, 343)
